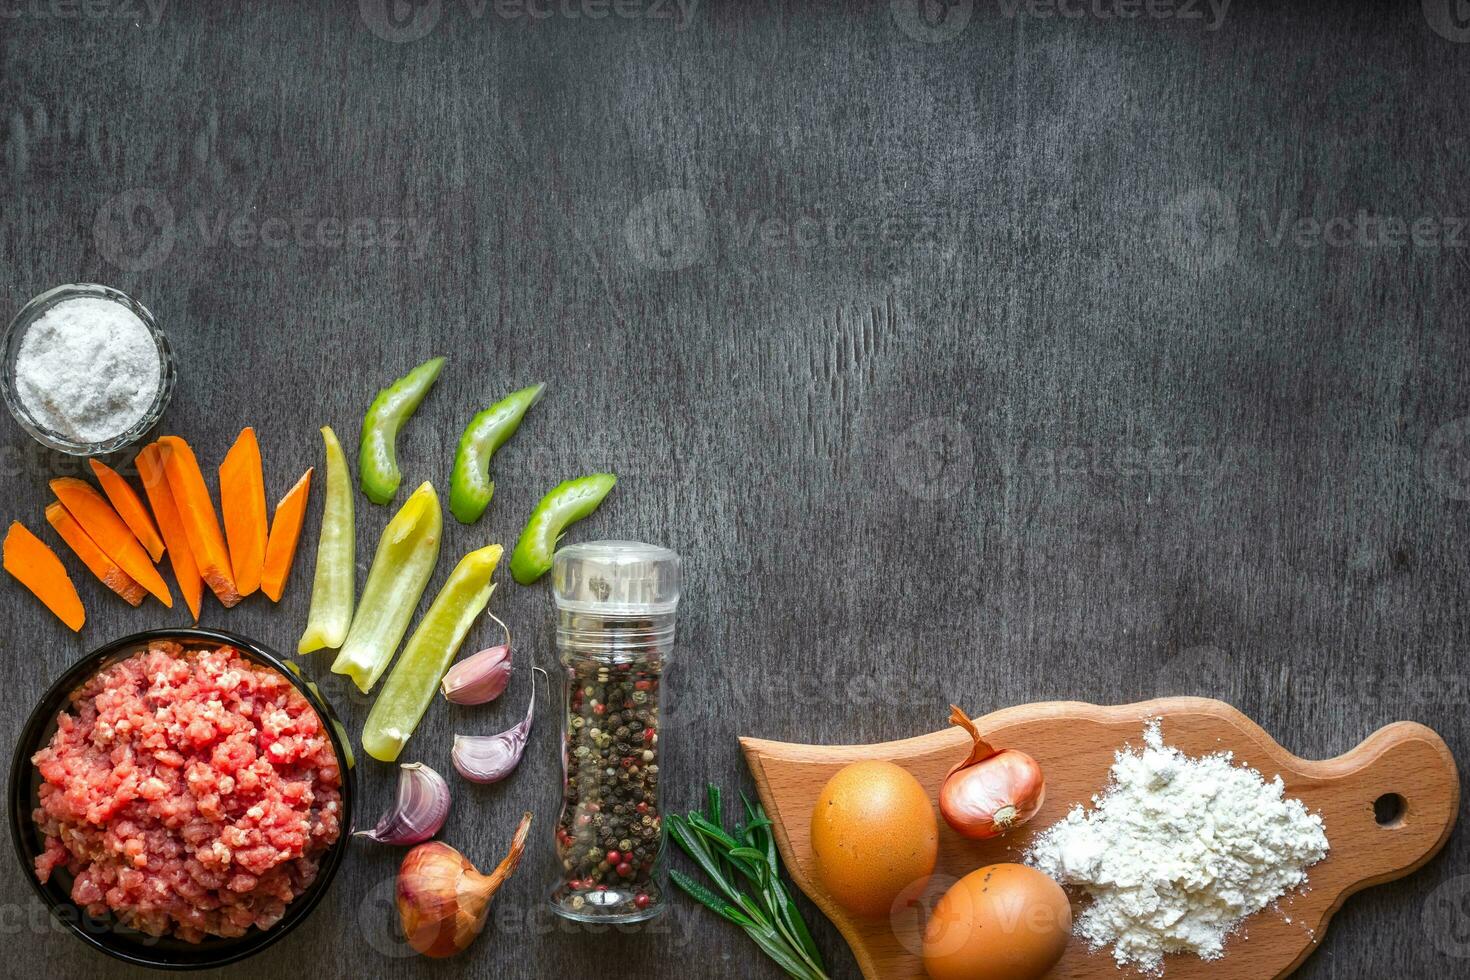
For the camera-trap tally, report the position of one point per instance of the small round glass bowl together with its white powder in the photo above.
(87, 371)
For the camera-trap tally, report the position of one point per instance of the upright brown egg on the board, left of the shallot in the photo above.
(874, 834)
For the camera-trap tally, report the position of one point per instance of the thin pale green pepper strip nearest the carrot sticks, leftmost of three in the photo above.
(336, 558)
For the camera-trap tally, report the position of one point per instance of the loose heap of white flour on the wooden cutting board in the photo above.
(1177, 851)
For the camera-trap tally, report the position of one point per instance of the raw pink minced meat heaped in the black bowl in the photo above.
(189, 793)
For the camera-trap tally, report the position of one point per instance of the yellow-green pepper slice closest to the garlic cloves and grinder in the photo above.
(409, 690)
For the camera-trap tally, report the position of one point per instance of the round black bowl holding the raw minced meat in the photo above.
(108, 934)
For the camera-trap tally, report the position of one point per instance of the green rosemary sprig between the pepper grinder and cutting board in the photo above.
(742, 859)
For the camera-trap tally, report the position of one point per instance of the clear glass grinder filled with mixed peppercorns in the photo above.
(615, 605)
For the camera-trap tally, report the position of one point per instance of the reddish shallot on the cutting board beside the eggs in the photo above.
(992, 793)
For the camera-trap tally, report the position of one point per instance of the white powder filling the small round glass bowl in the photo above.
(87, 370)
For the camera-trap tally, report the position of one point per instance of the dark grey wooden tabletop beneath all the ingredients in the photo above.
(997, 359)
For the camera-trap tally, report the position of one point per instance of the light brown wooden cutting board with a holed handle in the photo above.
(1075, 744)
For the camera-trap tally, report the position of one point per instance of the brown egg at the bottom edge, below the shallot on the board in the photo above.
(1005, 922)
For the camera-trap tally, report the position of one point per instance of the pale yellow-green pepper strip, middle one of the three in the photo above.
(406, 556)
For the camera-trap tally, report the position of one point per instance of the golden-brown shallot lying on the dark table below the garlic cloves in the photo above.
(443, 901)
